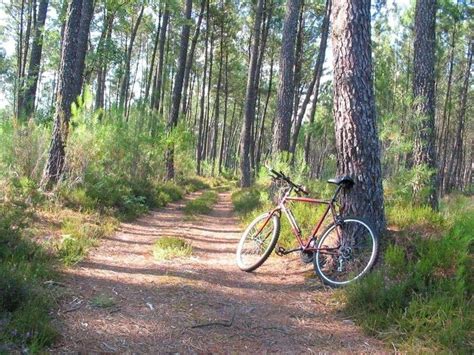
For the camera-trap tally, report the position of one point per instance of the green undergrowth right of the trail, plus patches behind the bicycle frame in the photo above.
(418, 298)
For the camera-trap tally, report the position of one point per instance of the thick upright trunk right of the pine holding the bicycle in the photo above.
(424, 153)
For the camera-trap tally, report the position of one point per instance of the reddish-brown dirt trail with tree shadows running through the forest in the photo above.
(200, 304)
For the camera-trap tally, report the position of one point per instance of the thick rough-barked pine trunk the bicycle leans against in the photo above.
(358, 152)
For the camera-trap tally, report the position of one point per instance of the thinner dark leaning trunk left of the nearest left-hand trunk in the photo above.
(28, 93)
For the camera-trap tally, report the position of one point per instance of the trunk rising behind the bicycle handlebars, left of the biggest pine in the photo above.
(281, 136)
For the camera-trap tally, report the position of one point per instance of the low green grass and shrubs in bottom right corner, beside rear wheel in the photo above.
(419, 299)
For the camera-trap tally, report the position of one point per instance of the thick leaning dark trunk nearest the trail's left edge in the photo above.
(69, 79)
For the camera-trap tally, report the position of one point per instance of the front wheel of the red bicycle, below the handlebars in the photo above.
(258, 242)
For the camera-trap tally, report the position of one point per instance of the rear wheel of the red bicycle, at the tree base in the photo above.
(346, 251)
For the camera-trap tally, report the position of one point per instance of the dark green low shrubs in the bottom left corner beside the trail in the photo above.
(24, 267)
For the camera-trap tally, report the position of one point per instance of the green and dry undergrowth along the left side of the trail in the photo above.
(113, 175)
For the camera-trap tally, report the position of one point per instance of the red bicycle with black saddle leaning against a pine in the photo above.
(345, 251)
